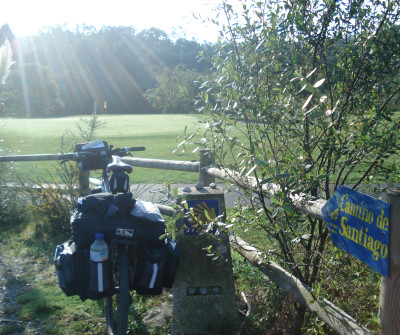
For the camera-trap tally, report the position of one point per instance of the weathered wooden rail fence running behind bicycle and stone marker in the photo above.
(332, 315)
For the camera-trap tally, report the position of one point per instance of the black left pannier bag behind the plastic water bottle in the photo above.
(73, 272)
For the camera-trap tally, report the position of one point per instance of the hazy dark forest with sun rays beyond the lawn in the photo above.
(119, 70)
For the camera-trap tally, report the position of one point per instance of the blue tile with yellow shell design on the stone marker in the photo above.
(203, 211)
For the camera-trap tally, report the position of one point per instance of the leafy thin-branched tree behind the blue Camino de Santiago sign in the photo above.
(303, 99)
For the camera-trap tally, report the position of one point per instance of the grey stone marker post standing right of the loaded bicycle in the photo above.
(204, 295)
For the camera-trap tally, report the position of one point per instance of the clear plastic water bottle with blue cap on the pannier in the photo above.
(99, 264)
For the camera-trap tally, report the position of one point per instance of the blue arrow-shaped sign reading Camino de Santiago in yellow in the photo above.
(359, 224)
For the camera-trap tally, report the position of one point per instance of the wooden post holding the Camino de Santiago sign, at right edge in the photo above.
(389, 307)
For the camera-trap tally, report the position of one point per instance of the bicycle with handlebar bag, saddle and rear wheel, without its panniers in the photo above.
(123, 252)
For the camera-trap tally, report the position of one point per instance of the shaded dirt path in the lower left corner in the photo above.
(12, 284)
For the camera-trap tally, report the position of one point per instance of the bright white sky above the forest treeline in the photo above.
(27, 17)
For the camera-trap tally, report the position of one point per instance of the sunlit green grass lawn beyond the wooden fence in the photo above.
(158, 133)
